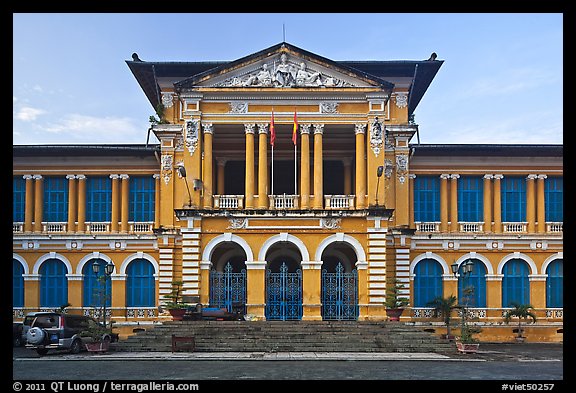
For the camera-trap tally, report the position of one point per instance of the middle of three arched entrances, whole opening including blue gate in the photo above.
(283, 282)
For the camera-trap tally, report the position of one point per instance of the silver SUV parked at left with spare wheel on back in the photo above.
(50, 330)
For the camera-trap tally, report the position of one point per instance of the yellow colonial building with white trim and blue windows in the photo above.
(289, 186)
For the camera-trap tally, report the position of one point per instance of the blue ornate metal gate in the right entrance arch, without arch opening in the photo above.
(339, 294)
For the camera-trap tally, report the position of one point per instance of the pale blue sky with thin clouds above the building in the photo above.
(501, 81)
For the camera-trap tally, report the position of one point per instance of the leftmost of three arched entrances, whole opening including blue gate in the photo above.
(228, 277)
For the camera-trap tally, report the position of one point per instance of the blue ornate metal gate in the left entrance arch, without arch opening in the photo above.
(228, 289)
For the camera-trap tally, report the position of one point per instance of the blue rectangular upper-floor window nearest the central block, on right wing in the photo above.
(426, 198)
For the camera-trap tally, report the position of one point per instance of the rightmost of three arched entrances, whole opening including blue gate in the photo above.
(339, 283)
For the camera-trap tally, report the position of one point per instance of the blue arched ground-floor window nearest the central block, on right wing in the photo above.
(427, 282)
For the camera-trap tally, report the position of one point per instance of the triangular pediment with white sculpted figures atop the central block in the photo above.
(283, 66)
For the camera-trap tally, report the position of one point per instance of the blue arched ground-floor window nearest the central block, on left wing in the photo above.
(140, 285)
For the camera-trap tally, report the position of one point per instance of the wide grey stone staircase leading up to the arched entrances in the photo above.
(289, 336)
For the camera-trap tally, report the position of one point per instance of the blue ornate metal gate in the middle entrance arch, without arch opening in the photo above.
(283, 294)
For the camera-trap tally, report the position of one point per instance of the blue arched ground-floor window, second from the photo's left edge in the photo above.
(53, 283)
